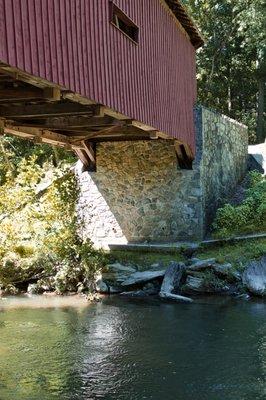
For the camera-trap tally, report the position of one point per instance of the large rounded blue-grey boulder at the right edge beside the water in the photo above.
(254, 277)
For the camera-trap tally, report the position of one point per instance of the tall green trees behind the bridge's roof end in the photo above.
(231, 65)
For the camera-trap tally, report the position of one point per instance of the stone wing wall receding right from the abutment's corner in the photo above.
(221, 157)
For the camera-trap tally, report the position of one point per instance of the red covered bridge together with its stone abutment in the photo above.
(115, 81)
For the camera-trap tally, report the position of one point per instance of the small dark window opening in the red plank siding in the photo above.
(122, 22)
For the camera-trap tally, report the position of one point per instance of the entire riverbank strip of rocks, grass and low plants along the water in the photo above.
(184, 275)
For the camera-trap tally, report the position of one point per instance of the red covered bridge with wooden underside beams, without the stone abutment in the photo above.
(77, 72)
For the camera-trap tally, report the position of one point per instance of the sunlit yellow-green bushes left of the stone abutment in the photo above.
(38, 228)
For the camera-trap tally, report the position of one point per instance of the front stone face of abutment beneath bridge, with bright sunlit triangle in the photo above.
(138, 193)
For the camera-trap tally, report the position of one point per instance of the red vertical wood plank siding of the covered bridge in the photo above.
(72, 43)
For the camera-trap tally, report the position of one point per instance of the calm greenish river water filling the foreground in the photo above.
(214, 349)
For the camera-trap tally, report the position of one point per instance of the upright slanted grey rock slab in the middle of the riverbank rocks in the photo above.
(172, 277)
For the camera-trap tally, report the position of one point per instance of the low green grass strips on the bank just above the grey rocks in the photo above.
(238, 254)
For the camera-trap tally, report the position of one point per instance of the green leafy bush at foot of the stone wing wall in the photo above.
(248, 217)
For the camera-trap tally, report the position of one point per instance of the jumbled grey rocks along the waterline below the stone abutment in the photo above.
(182, 281)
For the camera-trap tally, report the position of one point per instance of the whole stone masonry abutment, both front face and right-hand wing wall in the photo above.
(139, 194)
